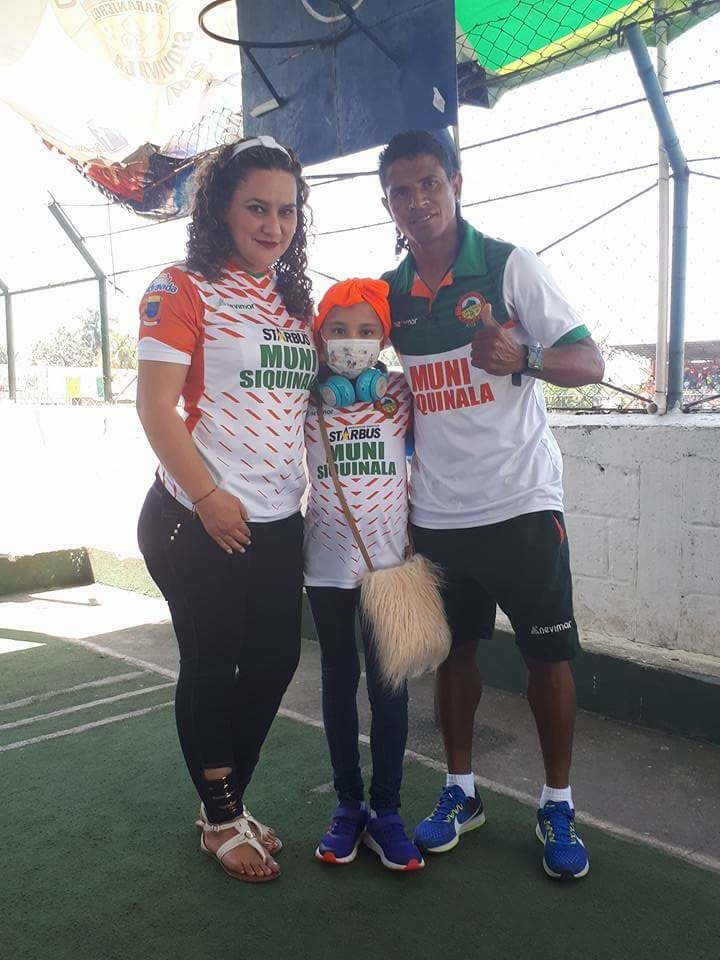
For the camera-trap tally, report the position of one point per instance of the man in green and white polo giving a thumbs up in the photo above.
(477, 324)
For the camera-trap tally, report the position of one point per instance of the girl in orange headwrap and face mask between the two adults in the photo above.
(358, 426)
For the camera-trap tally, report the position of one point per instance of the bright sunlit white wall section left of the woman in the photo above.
(71, 477)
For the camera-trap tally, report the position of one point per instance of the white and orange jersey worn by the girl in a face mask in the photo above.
(368, 442)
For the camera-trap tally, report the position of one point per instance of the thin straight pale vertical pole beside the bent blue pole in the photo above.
(661, 371)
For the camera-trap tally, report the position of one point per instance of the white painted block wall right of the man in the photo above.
(642, 500)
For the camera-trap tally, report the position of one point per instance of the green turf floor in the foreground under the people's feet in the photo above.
(100, 861)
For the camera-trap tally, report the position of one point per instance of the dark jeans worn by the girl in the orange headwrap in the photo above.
(334, 612)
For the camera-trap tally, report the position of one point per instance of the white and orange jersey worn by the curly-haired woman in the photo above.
(251, 365)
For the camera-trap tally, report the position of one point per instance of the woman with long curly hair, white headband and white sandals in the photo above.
(229, 331)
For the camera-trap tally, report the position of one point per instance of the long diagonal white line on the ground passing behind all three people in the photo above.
(681, 853)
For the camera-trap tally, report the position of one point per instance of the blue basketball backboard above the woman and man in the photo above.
(348, 89)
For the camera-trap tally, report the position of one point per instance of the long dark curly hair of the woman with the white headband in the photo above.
(210, 244)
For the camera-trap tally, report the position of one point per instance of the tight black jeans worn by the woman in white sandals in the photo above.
(237, 621)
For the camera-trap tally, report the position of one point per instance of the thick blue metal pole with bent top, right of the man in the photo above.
(681, 179)
